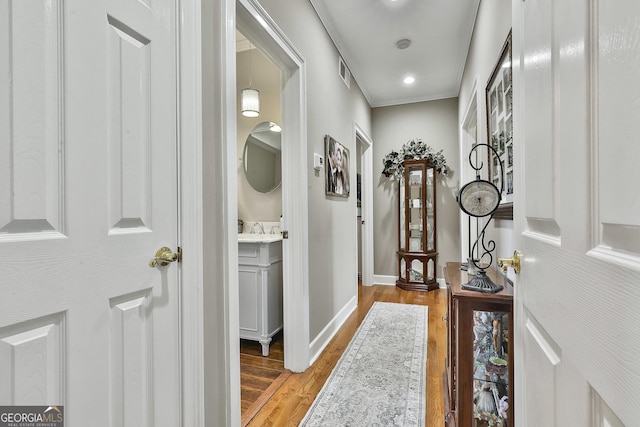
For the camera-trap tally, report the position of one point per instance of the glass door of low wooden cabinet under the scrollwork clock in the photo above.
(490, 370)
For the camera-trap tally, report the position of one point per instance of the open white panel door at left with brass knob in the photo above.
(88, 193)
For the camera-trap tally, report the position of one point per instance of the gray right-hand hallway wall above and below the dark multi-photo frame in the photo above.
(490, 32)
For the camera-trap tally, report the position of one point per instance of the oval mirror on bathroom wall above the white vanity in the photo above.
(261, 159)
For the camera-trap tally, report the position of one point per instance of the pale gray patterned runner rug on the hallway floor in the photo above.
(380, 380)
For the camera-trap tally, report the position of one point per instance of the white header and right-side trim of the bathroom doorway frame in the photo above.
(254, 22)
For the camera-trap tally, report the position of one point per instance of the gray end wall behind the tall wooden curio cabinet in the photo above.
(436, 123)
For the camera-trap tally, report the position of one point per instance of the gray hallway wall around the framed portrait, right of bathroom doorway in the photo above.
(331, 109)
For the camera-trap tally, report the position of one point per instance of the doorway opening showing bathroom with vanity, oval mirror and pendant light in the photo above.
(260, 262)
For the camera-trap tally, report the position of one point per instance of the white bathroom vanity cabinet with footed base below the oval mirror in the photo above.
(260, 288)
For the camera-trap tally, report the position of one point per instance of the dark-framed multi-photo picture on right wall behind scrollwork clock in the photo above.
(499, 98)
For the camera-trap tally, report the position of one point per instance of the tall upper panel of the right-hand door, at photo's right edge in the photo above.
(616, 129)
